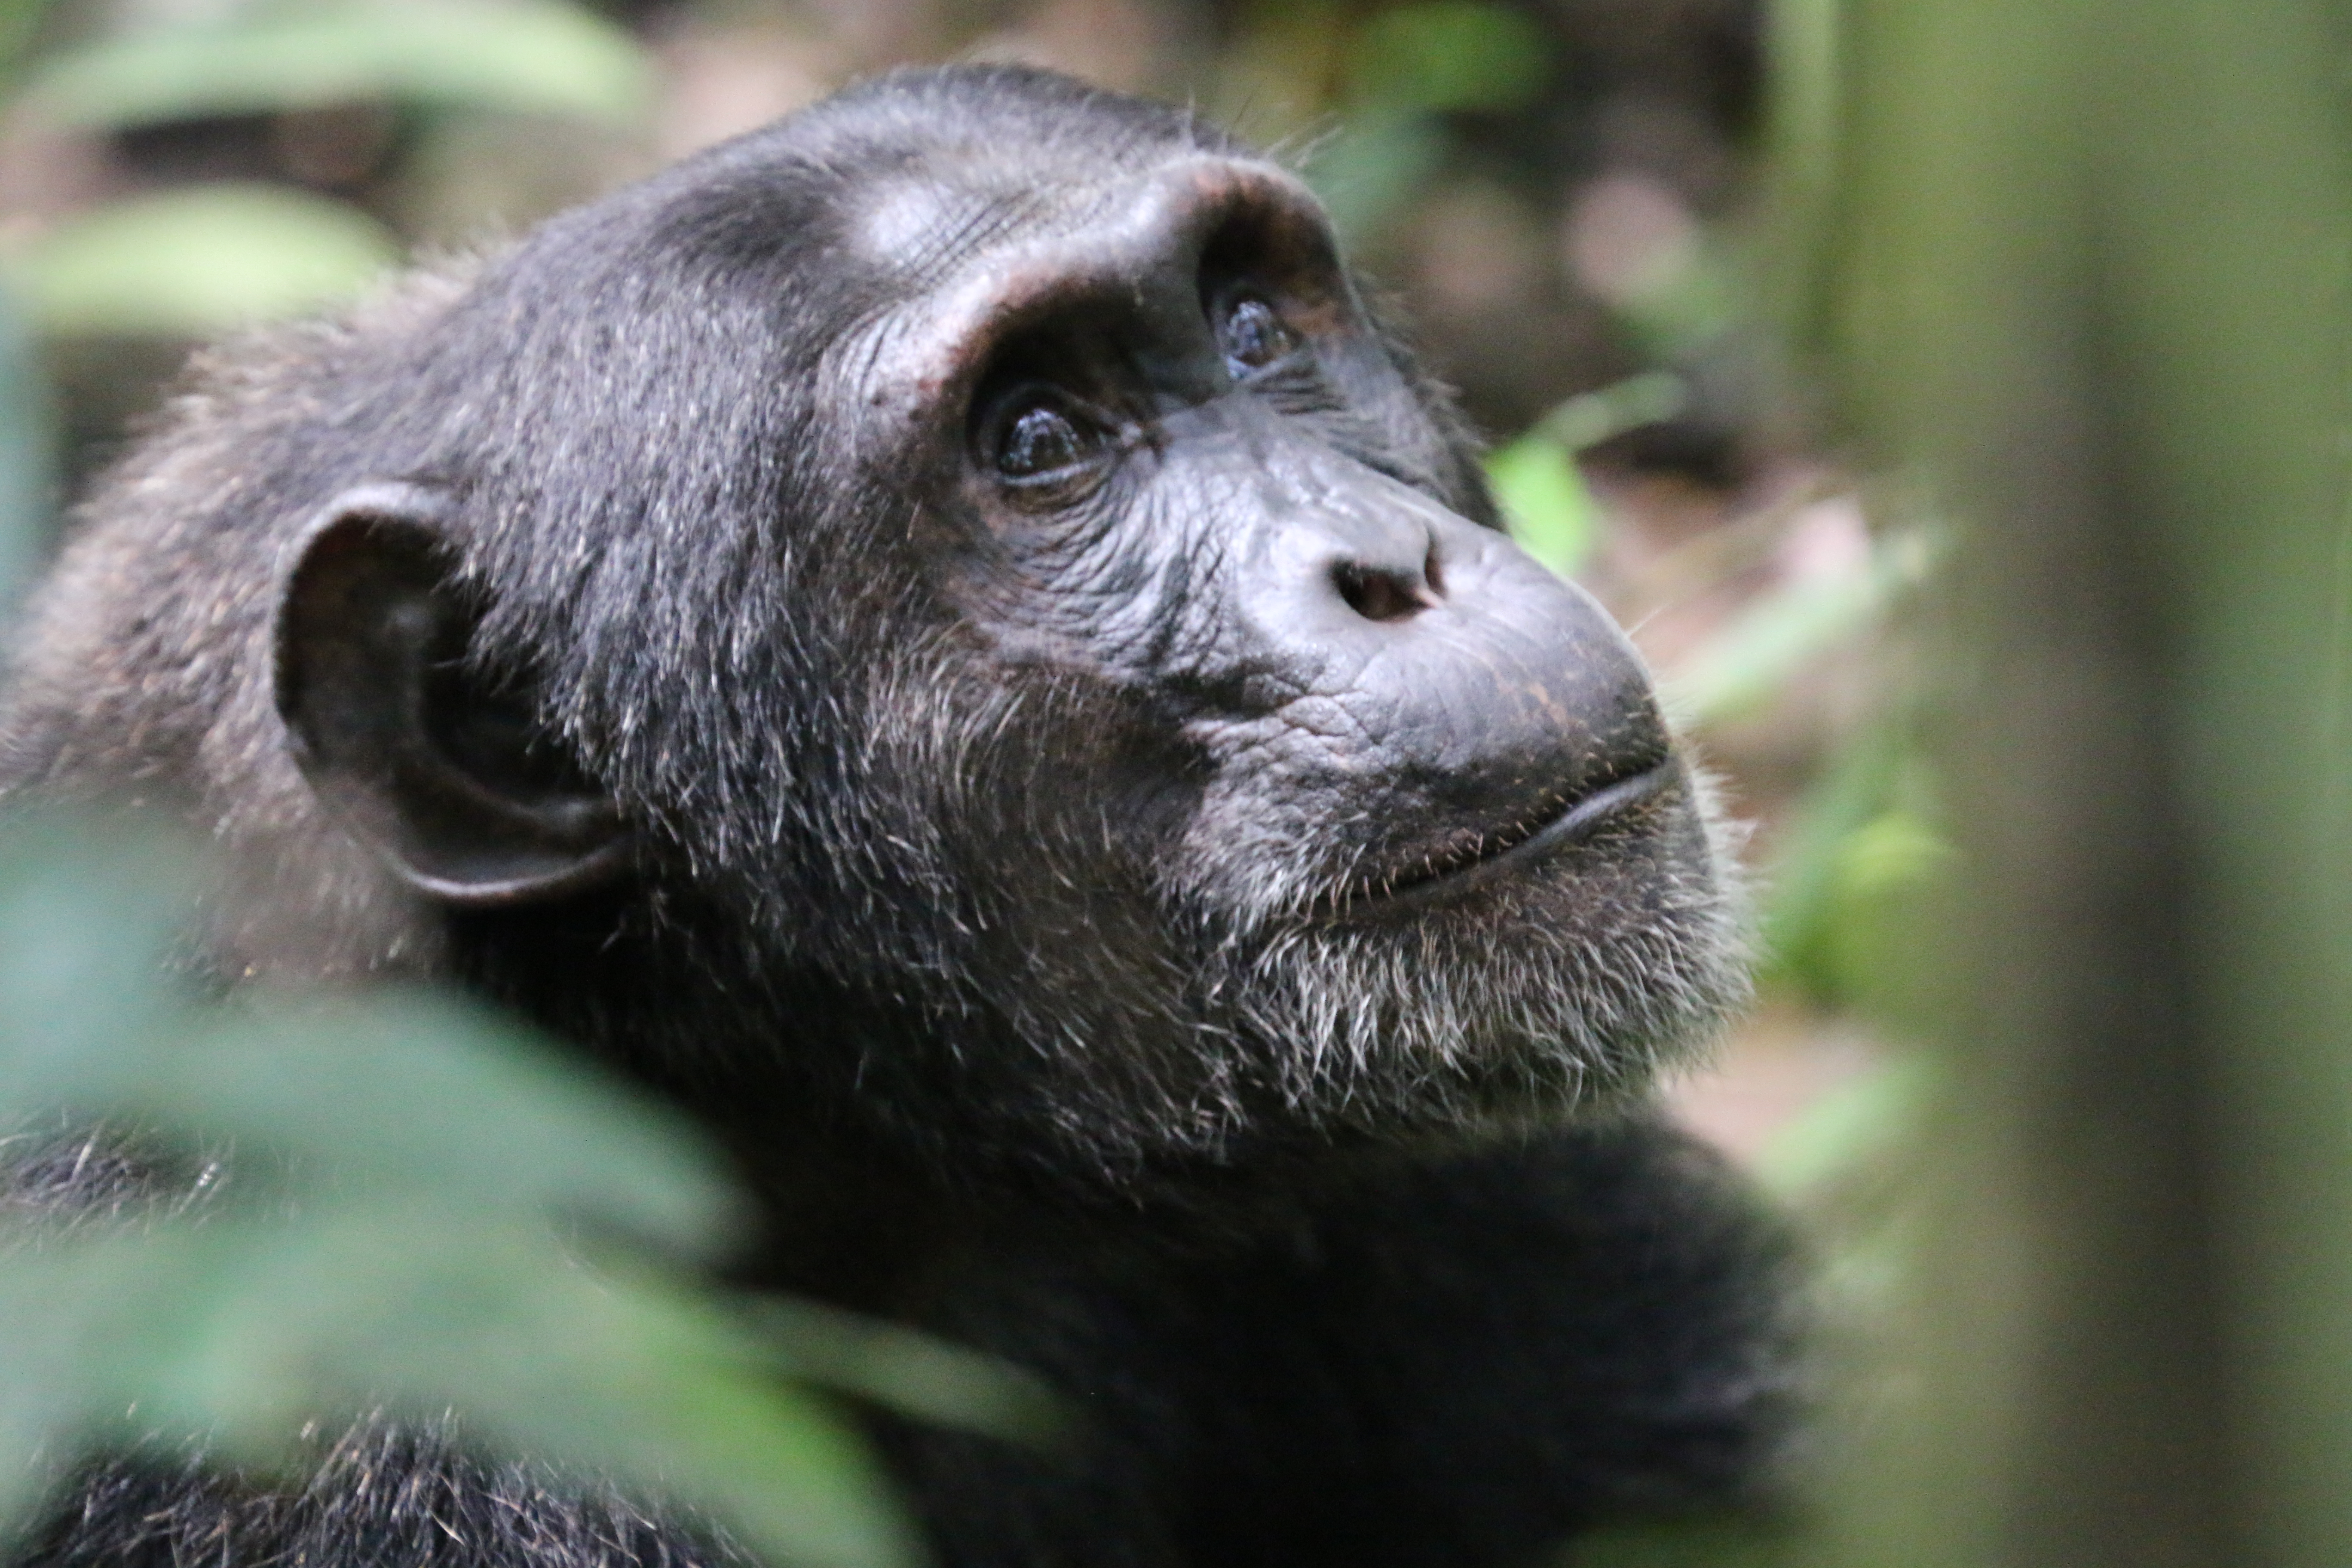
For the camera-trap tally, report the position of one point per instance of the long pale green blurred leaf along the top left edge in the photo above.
(521, 58)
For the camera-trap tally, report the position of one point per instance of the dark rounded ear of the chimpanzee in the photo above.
(441, 768)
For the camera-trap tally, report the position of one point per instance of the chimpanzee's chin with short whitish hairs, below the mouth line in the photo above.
(1506, 993)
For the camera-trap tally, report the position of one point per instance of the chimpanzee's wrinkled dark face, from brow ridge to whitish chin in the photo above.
(1349, 796)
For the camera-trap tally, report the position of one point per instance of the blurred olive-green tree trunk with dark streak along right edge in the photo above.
(2085, 286)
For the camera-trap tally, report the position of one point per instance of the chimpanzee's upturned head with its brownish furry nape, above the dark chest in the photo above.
(949, 612)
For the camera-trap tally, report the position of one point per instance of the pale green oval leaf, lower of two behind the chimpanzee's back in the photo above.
(201, 262)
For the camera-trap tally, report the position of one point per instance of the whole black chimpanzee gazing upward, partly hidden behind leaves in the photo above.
(947, 638)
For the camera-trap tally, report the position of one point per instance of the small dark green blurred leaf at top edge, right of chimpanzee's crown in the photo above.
(1450, 55)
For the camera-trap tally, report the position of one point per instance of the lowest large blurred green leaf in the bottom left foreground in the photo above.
(243, 1332)
